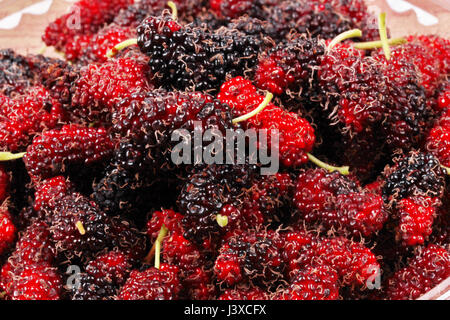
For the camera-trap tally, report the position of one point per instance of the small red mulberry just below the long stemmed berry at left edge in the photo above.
(50, 190)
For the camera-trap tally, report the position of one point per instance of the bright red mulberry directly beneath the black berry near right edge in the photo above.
(416, 219)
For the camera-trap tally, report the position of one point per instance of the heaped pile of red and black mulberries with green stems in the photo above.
(224, 150)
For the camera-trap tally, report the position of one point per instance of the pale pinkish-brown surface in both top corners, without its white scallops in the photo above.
(26, 38)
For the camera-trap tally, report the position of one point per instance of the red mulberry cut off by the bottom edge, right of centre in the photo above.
(312, 283)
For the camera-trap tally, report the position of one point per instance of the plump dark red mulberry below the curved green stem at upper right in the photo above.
(345, 75)
